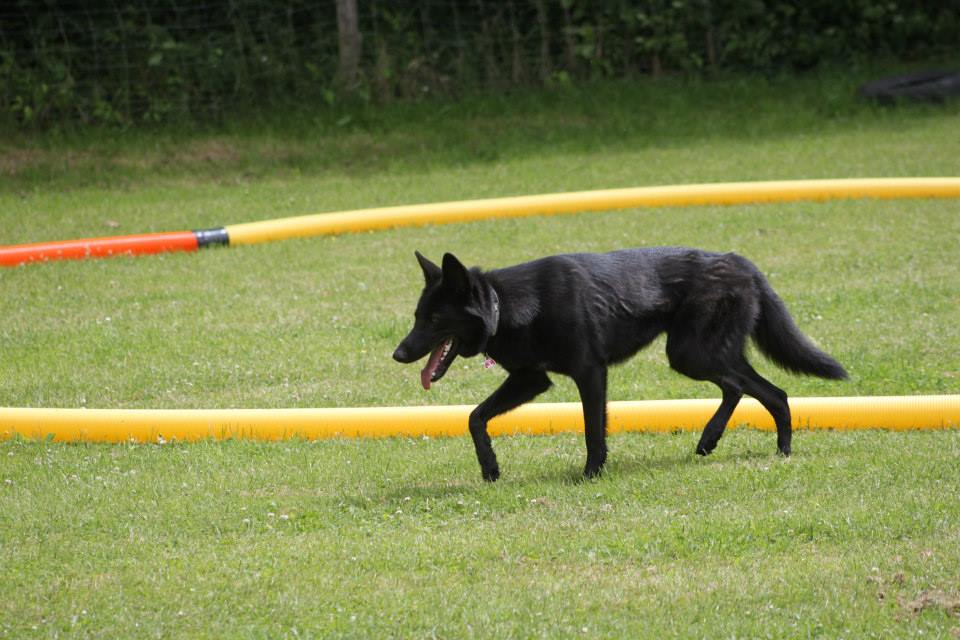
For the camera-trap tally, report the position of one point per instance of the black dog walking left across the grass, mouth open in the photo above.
(578, 314)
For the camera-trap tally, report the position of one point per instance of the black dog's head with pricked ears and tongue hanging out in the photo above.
(457, 313)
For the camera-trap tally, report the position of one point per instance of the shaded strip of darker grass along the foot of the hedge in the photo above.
(600, 116)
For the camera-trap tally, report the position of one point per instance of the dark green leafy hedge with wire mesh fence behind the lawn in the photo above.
(123, 61)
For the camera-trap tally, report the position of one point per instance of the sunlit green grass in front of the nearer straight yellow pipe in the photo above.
(400, 538)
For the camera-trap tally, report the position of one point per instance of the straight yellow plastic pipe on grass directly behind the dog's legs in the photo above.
(142, 425)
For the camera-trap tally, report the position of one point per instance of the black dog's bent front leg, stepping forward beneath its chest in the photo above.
(519, 387)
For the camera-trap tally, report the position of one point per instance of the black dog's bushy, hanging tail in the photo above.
(779, 338)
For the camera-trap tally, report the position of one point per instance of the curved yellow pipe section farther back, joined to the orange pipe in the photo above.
(582, 201)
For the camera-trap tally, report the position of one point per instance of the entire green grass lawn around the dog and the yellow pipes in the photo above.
(857, 534)
